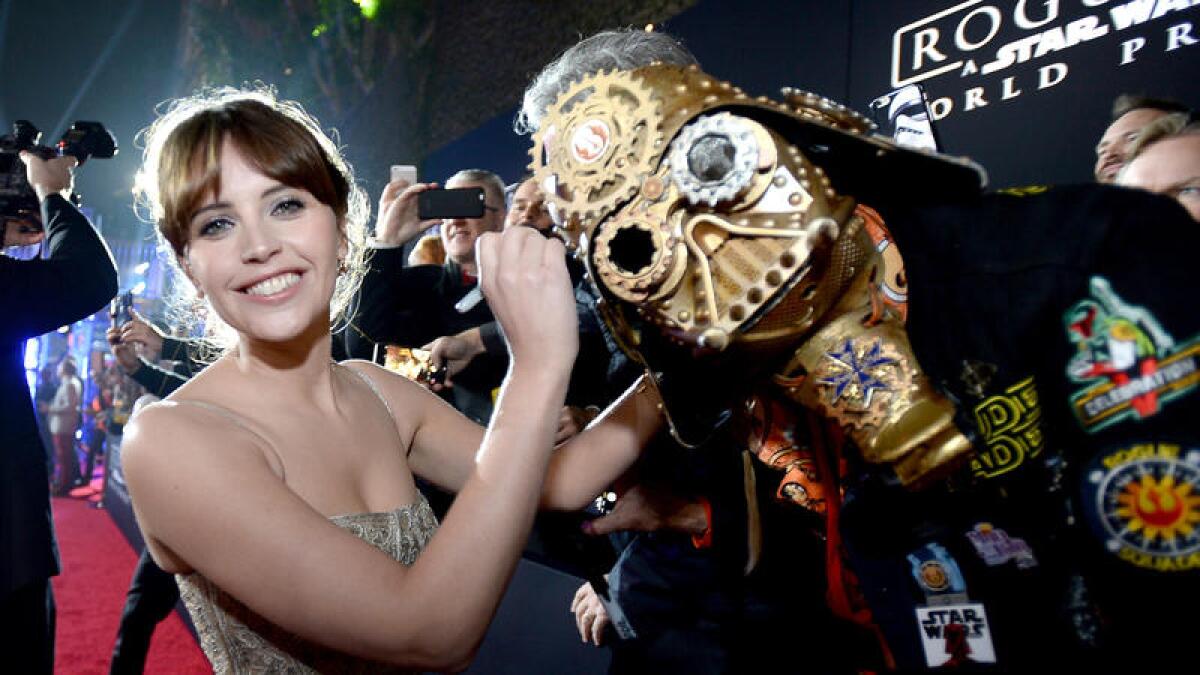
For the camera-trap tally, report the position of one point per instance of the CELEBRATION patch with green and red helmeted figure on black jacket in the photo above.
(1130, 366)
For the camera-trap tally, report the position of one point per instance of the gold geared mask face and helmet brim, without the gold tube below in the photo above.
(713, 216)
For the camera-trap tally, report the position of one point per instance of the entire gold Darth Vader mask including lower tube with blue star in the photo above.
(730, 228)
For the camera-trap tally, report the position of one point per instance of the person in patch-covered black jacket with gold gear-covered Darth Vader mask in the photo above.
(986, 499)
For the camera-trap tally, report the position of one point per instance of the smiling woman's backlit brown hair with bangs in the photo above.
(277, 140)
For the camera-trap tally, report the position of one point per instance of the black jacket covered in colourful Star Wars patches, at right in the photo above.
(1046, 314)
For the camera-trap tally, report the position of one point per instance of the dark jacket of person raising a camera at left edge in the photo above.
(76, 279)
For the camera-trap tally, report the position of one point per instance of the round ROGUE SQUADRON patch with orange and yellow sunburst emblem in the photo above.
(1142, 501)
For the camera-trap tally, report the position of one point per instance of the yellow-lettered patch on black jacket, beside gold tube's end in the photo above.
(1011, 428)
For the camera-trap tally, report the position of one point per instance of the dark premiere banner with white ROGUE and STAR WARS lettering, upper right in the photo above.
(1025, 86)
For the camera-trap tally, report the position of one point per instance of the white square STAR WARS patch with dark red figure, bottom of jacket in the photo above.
(956, 636)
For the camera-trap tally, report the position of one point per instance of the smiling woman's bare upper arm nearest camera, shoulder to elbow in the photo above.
(209, 499)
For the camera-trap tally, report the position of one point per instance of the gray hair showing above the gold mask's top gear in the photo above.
(623, 50)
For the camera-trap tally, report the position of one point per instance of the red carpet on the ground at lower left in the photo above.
(98, 564)
